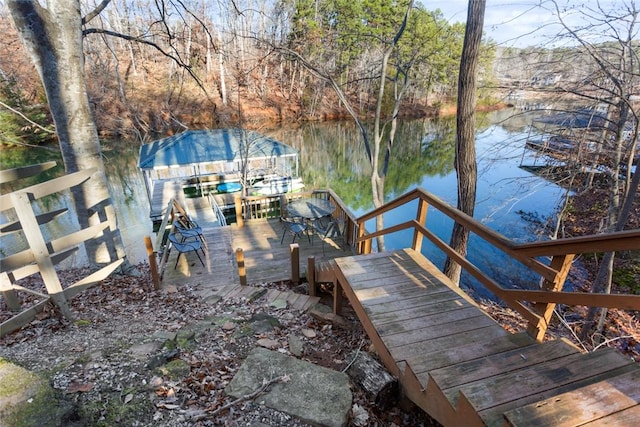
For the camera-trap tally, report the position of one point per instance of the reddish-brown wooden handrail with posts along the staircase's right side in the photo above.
(536, 306)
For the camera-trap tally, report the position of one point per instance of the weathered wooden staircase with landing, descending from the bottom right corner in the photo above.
(463, 368)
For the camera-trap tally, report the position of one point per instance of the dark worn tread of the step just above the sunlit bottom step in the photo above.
(503, 388)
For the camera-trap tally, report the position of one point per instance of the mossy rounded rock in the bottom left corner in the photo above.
(27, 399)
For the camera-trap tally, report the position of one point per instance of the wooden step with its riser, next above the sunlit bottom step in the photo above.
(483, 402)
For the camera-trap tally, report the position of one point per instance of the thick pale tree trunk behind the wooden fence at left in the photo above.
(53, 38)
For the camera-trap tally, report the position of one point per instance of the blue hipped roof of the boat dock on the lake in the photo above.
(210, 146)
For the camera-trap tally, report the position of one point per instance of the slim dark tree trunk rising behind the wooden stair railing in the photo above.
(466, 167)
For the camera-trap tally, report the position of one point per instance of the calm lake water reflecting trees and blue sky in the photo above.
(332, 156)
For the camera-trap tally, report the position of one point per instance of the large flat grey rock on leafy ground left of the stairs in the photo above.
(316, 395)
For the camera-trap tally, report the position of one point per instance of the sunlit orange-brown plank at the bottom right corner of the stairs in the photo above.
(586, 404)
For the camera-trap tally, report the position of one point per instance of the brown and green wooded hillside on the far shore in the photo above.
(155, 68)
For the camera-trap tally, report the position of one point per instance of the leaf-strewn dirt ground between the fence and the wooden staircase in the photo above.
(100, 365)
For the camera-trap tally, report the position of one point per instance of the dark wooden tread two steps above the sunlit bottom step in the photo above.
(500, 362)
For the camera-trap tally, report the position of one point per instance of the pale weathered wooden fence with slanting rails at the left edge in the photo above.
(42, 256)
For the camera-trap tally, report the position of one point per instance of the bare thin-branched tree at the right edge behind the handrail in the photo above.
(613, 79)
